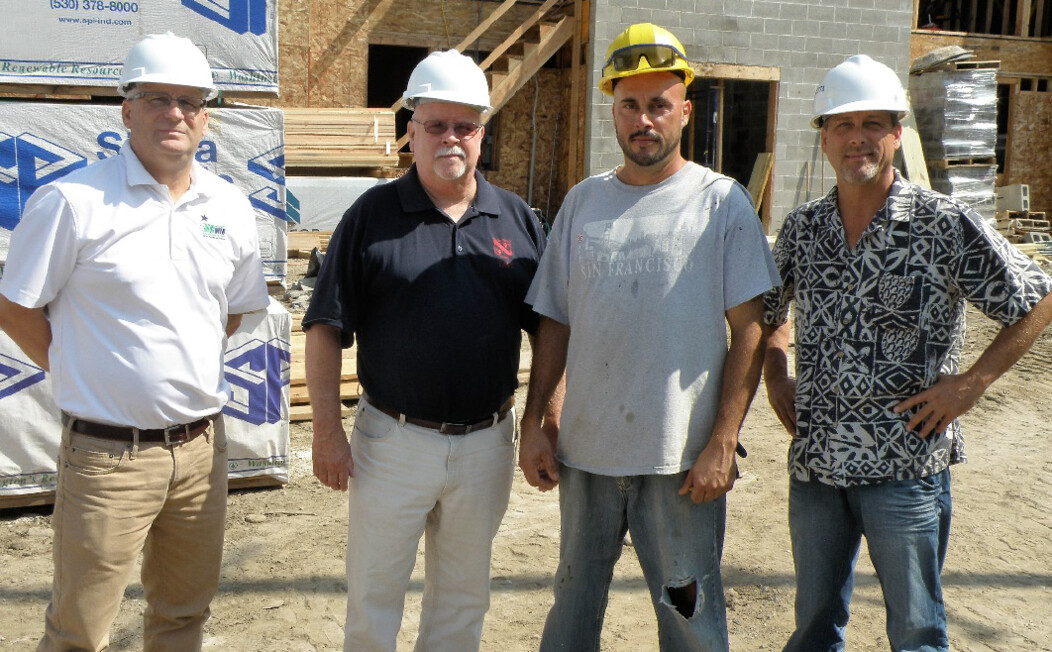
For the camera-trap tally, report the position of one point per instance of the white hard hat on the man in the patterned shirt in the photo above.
(859, 84)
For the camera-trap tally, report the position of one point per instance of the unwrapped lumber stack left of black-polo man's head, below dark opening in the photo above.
(340, 138)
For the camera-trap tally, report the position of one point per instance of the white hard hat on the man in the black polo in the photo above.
(448, 77)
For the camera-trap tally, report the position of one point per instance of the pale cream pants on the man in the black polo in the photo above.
(409, 483)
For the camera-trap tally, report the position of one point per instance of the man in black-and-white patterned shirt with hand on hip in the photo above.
(879, 272)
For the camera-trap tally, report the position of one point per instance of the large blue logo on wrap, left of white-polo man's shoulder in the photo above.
(27, 164)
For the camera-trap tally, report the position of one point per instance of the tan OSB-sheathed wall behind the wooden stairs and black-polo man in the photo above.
(325, 63)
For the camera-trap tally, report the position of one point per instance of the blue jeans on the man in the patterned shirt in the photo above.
(906, 525)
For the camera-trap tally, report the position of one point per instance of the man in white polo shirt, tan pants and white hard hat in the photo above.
(124, 281)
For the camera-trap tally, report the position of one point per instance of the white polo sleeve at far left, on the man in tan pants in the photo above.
(43, 251)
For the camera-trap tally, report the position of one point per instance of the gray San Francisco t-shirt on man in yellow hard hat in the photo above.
(643, 276)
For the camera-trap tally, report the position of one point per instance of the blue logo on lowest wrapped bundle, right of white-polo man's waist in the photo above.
(257, 372)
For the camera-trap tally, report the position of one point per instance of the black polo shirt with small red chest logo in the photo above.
(437, 308)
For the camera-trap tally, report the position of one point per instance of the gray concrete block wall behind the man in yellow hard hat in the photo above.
(804, 39)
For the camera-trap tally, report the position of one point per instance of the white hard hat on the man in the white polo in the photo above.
(167, 59)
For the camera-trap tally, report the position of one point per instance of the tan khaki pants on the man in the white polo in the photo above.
(115, 500)
